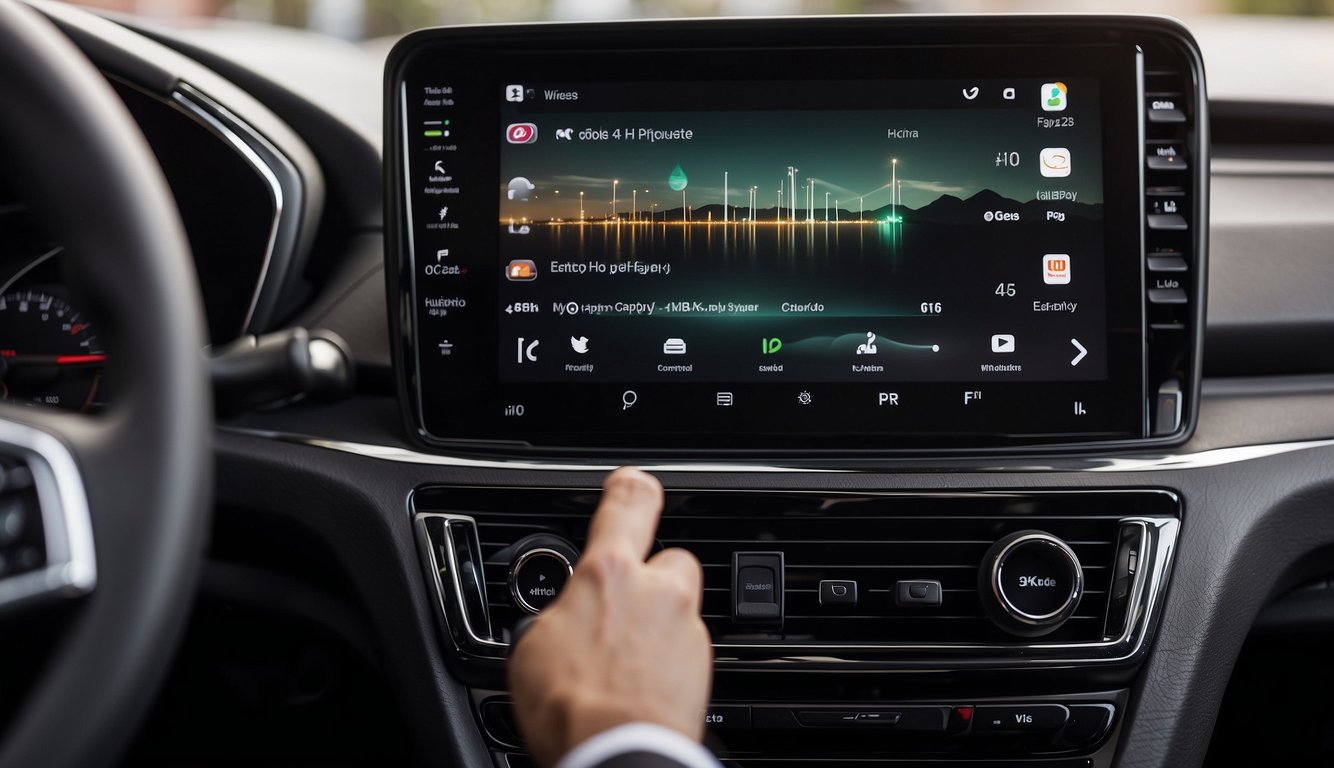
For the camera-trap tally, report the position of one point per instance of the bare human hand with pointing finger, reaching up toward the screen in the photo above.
(624, 643)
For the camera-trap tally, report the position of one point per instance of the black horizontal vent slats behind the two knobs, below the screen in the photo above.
(876, 541)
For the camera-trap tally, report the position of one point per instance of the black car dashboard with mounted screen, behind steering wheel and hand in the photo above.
(942, 561)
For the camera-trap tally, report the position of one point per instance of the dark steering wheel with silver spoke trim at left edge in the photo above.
(123, 497)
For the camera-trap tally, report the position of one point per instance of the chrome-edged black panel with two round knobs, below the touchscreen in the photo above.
(986, 579)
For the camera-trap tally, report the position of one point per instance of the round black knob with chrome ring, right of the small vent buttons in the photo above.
(1031, 583)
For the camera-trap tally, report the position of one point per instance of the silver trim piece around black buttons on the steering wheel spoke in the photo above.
(71, 566)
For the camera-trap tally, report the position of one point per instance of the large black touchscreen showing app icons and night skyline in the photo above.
(609, 243)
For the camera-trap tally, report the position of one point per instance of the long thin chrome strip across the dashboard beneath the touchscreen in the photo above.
(1163, 463)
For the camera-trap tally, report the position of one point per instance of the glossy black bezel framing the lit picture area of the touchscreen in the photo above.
(468, 405)
